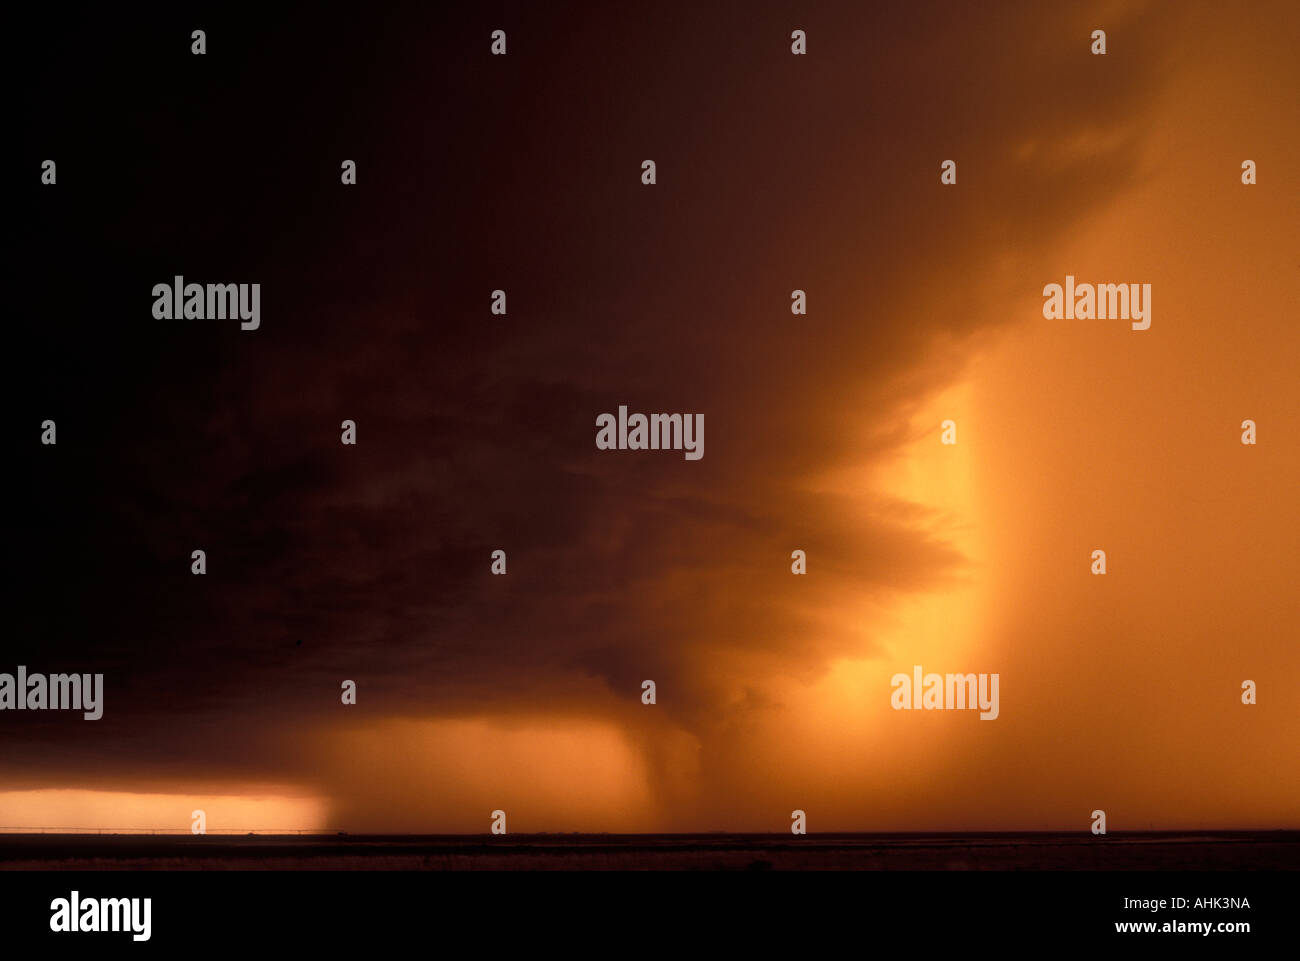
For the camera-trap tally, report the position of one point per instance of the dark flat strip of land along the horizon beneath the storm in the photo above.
(1224, 851)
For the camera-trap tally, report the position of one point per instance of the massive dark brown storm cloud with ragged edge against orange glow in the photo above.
(478, 432)
